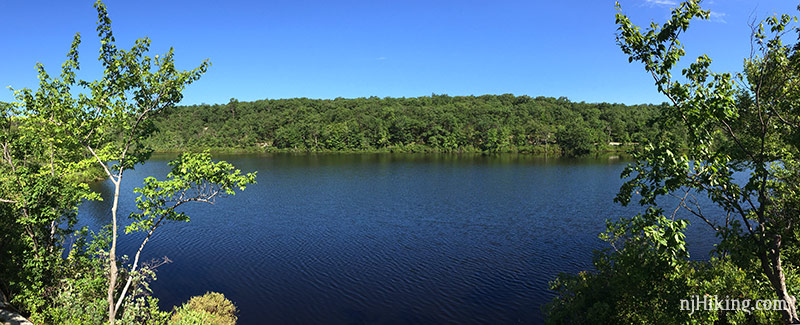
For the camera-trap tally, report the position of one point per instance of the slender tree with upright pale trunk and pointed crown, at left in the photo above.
(116, 115)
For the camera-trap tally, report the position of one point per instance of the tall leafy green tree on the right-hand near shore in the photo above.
(745, 128)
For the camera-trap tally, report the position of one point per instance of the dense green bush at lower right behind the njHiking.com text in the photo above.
(644, 279)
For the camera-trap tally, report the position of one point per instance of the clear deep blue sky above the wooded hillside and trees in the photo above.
(397, 48)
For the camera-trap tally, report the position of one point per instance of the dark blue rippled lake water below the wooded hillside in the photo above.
(385, 238)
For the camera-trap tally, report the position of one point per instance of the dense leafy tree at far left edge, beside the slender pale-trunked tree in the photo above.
(39, 192)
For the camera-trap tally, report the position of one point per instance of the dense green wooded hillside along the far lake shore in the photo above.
(439, 123)
